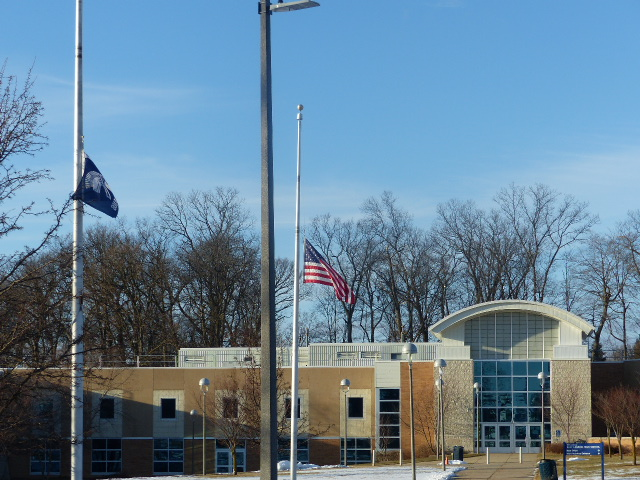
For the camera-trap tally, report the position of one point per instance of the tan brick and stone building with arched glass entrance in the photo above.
(145, 421)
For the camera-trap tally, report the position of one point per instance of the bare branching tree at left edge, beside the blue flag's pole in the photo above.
(33, 292)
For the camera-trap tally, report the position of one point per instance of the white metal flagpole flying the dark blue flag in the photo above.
(77, 320)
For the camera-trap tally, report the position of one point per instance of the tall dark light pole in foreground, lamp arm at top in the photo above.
(268, 404)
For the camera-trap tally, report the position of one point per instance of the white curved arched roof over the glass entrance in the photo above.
(479, 309)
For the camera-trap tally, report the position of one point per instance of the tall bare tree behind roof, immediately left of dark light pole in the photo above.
(218, 264)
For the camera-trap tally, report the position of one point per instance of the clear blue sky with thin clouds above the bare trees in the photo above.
(429, 99)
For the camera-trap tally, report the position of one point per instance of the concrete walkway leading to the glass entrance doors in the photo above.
(502, 466)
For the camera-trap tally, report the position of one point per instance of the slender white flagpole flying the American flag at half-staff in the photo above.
(296, 298)
